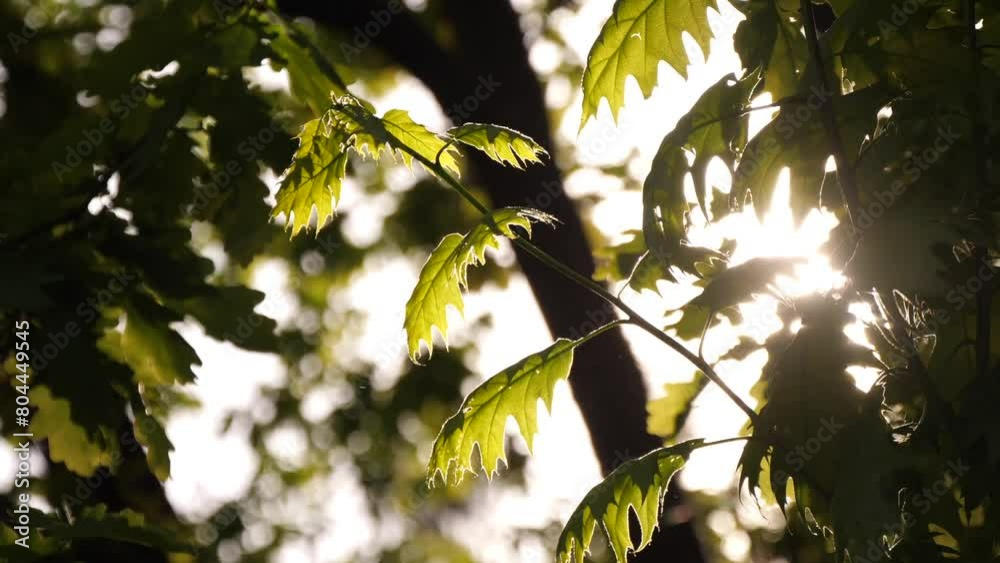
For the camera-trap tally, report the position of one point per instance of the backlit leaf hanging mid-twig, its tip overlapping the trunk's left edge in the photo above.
(445, 273)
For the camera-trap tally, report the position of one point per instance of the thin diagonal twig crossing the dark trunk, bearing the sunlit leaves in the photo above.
(632, 317)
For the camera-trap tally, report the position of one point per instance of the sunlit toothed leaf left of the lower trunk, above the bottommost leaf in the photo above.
(482, 418)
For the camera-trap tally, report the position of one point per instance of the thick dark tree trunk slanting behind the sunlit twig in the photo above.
(489, 49)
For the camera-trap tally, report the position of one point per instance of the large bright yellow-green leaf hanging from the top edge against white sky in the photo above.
(638, 35)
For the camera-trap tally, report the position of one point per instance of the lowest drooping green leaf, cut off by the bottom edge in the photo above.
(636, 486)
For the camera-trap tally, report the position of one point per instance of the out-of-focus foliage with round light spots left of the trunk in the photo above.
(136, 140)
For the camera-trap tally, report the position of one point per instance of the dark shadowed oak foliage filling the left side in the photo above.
(129, 148)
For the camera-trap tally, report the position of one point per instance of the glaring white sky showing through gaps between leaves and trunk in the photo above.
(211, 467)
